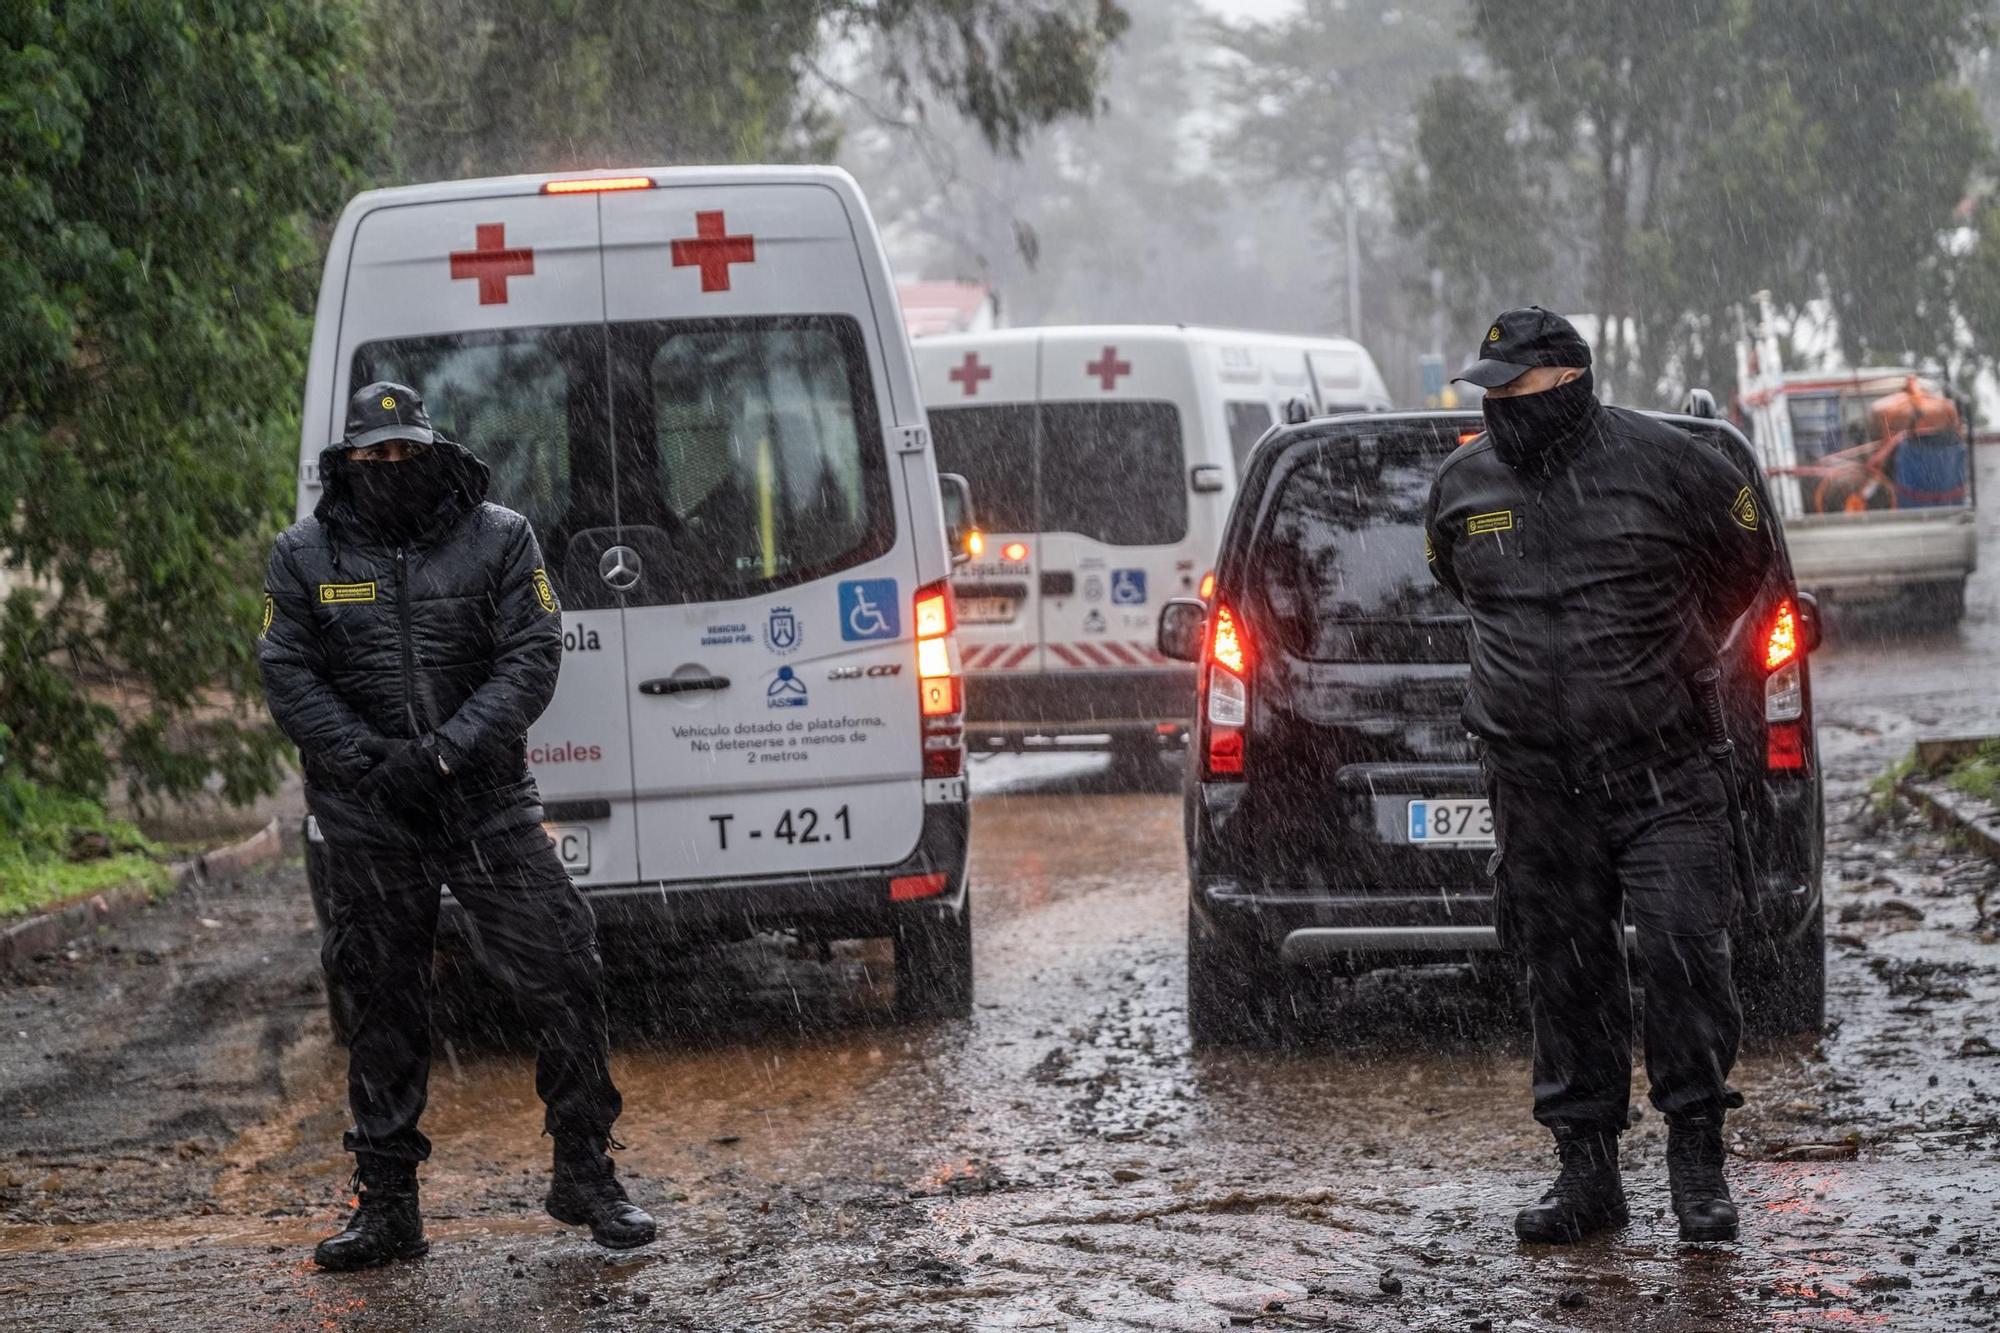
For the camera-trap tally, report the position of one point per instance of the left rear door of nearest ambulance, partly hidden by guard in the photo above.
(493, 309)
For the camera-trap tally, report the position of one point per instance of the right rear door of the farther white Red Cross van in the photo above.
(1115, 475)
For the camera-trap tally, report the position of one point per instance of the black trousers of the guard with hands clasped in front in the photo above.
(535, 932)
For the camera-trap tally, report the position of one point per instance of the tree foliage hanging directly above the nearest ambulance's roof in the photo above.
(483, 87)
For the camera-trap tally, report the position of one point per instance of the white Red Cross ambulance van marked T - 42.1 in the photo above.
(699, 389)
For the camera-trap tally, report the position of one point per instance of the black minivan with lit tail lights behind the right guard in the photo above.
(1337, 820)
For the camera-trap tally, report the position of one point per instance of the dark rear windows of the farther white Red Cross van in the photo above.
(1109, 471)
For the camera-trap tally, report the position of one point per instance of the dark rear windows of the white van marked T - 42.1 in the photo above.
(747, 455)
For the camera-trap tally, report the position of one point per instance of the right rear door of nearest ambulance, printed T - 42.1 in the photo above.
(767, 535)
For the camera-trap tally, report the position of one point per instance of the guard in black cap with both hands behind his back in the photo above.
(1603, 557)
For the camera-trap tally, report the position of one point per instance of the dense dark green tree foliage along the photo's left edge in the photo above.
(159, 161)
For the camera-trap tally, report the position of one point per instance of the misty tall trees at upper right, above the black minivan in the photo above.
(1683, 157)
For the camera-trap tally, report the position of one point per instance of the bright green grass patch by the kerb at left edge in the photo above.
(57, 848)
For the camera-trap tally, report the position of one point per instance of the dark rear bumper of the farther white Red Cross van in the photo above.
(1007, 708)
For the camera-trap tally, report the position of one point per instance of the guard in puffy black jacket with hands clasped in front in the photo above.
(411, 637)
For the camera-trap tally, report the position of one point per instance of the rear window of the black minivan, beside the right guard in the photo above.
(1341, 563)
